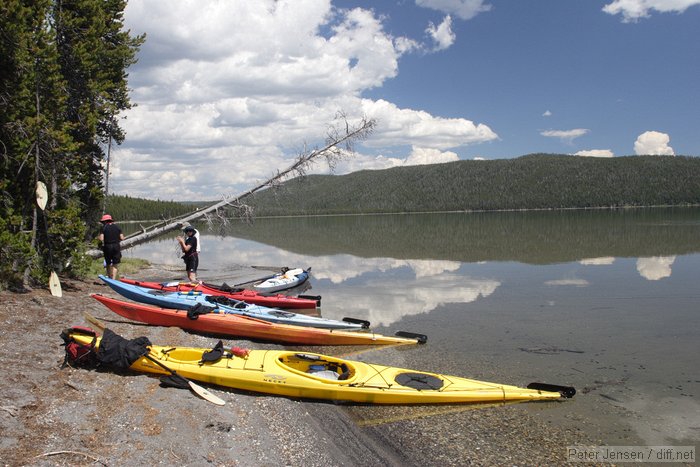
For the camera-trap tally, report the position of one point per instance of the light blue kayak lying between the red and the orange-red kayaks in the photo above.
(188, 300)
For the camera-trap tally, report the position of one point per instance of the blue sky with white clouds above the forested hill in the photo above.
(228, 92)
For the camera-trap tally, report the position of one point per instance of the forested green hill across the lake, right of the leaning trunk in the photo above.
(537, 181)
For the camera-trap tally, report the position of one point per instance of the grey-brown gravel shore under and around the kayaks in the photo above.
(64, 416)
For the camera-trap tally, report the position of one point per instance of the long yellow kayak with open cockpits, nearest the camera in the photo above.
(316, 376)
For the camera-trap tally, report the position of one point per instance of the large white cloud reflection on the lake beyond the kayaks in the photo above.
(380, 290)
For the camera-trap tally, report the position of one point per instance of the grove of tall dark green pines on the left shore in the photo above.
(63, 84)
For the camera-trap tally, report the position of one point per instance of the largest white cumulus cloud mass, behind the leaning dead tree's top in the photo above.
(226, 92)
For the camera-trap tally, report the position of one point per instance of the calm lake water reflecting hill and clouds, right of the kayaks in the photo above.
(606, 301)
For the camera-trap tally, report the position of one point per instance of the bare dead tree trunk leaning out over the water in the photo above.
(339, 143)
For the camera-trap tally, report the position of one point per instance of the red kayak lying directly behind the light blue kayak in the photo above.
(244, 295)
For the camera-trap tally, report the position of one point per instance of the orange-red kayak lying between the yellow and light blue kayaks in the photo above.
(251, 328)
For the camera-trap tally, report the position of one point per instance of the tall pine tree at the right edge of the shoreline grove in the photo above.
(94, 55)
